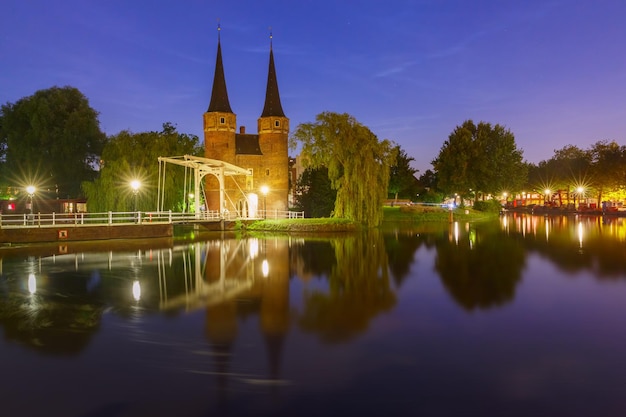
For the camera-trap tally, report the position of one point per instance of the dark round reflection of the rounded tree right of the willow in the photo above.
(482, 270)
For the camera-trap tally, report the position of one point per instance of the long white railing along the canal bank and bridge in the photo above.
(136, 217)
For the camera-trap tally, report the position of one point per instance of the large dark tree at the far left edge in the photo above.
(52, 139)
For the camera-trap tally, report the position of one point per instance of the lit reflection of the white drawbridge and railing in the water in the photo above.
(200, 275)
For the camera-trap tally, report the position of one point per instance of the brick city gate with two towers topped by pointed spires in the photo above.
(265, 152)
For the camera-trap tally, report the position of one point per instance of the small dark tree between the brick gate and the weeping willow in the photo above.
(314, 194)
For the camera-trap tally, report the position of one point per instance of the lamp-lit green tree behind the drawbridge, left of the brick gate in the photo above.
(128, 156)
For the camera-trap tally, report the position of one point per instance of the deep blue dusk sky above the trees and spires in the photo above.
(553, 72)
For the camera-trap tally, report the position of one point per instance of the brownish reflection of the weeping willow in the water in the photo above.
(359, 289)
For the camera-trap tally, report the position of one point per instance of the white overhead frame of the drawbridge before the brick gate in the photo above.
(201, 168)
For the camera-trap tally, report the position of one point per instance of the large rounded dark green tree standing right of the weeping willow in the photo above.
(480, 158)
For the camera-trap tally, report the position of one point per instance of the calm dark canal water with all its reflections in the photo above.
(516, 317)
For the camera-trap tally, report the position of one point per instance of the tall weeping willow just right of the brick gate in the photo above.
(358, 164)
